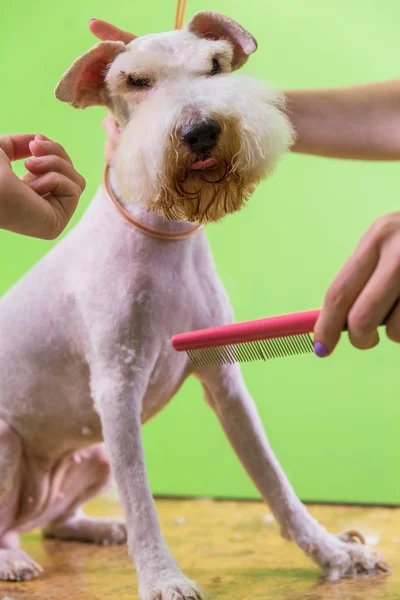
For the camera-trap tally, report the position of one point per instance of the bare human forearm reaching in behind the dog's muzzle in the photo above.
(358, 122)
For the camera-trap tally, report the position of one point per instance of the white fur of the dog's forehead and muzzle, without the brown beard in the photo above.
(178, 64)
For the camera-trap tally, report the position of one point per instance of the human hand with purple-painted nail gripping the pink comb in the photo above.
(364, 292)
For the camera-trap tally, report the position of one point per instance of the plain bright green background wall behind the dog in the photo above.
(334, 424)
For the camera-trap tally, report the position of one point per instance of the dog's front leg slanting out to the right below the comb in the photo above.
(338, 556)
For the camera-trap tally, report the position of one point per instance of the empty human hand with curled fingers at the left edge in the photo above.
(44, 200)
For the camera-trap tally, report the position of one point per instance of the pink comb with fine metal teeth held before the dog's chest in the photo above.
(263, 339)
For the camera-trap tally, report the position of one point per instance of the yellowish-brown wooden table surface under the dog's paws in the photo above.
(233, 551)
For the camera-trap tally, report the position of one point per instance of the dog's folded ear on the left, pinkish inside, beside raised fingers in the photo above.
(84, 83)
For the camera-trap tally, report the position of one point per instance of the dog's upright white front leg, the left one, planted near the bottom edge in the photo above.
(119, 403)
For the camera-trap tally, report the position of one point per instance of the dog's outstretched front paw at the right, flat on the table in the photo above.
(349, 557)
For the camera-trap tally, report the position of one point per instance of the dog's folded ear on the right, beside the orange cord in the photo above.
(214, 26)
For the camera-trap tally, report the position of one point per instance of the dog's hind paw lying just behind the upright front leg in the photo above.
(106, 532)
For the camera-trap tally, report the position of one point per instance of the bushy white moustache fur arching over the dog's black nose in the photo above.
(264, 131)
